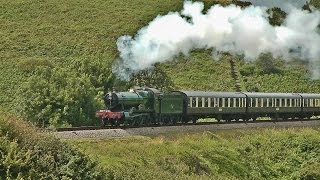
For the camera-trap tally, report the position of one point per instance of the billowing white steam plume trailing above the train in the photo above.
(224, 29)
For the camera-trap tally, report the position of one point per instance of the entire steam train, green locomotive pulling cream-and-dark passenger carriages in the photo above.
(146, 106)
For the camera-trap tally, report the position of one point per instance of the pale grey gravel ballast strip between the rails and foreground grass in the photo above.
(154, 131)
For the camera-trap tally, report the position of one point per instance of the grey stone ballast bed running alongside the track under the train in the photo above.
(109, 132)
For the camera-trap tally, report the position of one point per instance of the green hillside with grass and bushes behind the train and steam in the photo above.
(56, 58)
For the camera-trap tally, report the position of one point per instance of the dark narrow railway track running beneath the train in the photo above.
(85, 128)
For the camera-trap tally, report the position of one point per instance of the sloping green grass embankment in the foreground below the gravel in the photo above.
(254, 154)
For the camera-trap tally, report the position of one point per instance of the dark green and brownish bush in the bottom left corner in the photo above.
(29, 154)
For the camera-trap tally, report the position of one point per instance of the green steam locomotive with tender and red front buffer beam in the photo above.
(143, 106)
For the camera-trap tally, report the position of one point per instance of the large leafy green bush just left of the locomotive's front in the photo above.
(55, 97)
